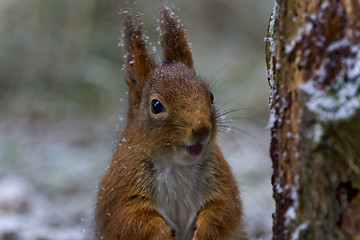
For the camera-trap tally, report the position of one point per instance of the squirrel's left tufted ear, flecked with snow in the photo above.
(138, 62)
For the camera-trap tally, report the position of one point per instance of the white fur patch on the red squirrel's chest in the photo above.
(179, 195)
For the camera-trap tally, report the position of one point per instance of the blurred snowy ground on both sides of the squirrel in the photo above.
(48, 179)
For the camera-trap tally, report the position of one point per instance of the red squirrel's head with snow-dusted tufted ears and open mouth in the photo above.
(171, 111)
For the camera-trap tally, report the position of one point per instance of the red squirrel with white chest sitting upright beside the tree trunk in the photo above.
(168, 178)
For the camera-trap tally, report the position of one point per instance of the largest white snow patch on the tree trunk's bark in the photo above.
(339, 100)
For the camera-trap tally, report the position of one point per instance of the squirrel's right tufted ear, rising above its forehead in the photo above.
(173, 39)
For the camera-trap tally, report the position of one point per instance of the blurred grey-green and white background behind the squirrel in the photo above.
(63, 103)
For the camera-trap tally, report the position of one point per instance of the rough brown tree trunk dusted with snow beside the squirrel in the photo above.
(313, 62)
